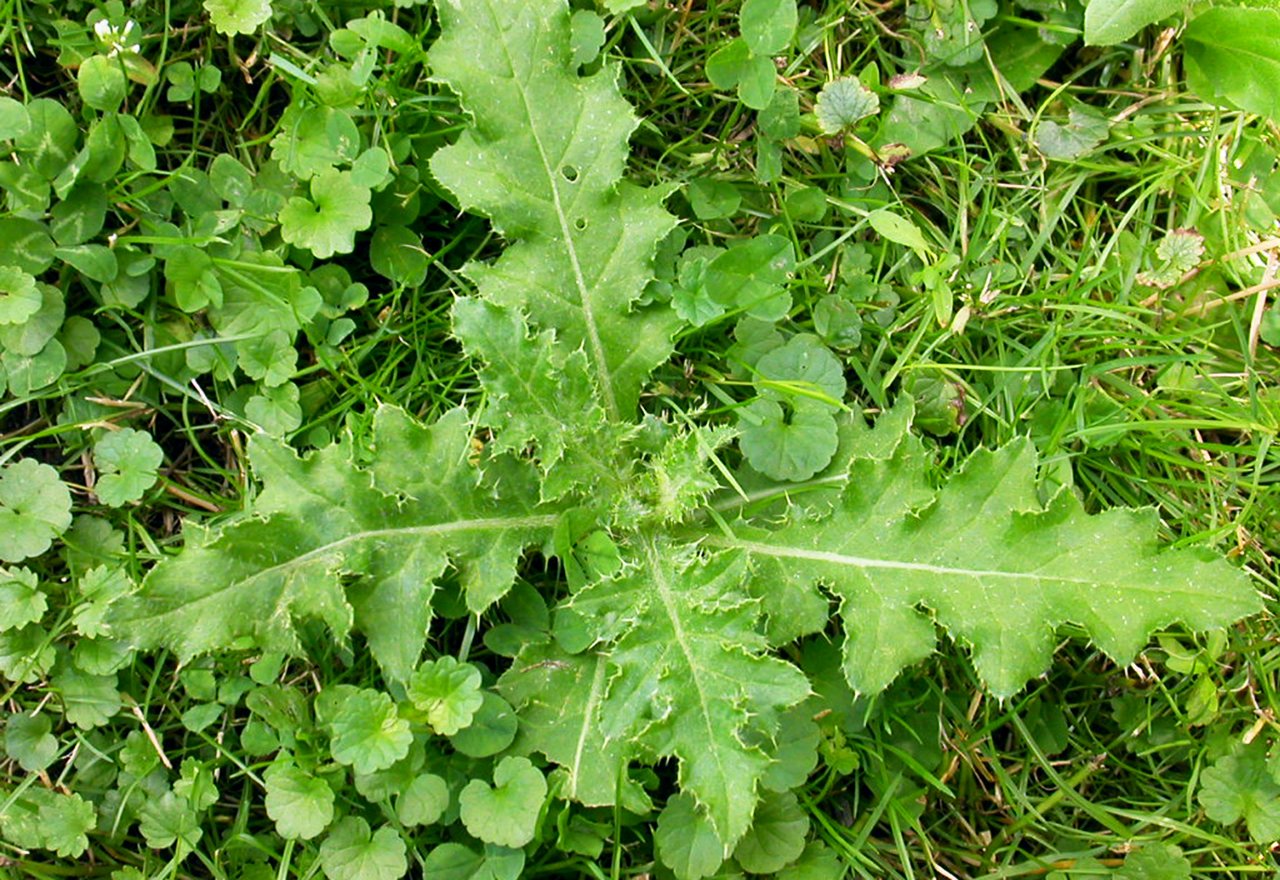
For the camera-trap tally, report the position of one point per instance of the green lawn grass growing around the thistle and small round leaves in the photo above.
(1135, 397)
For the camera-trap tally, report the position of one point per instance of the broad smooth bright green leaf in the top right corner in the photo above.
(1235, 56)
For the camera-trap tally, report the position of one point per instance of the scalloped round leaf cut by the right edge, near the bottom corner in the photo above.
(1241, 786)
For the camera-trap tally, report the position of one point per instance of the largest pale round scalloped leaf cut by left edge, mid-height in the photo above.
(35, 508)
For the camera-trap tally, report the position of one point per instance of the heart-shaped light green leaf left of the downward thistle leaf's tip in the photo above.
(508, 813)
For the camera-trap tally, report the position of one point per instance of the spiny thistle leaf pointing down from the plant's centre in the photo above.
(692, 677)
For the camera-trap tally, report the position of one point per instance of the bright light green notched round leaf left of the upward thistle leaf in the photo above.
(327, 223)
